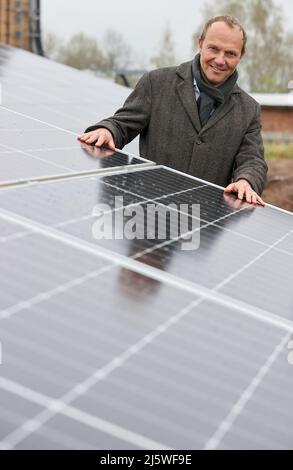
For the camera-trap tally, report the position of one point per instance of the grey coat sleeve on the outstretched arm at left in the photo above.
(132, 118)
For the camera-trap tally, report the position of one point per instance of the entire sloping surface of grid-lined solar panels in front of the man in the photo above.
(130, 344)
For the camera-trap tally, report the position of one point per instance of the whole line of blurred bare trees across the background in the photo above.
(267, 65)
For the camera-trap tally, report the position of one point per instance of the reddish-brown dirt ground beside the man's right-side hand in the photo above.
(279, 188)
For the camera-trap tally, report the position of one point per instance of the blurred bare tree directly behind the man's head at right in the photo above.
(268, 63)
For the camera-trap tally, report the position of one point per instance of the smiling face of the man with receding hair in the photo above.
(221, 52)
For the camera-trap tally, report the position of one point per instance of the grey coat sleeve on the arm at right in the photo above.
(249, 161)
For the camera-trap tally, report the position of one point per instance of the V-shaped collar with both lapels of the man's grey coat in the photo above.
(186, 92)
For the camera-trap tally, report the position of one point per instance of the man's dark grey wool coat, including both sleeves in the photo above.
(163, 110)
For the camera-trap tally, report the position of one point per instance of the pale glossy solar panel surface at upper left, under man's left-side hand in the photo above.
(40, 119)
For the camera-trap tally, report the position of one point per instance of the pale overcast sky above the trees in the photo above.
(140, 22)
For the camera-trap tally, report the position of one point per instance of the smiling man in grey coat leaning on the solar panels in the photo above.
(195, 118)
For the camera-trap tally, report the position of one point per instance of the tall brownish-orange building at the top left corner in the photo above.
(20, 24)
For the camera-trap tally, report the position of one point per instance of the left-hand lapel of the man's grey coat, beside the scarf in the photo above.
(186, 93)
